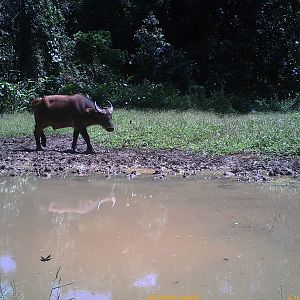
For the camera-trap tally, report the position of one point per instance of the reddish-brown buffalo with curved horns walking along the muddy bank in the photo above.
(77, 111)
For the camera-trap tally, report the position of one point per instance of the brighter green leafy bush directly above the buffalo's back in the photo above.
(94, 63)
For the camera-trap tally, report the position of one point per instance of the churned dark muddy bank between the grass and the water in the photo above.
(18, 158)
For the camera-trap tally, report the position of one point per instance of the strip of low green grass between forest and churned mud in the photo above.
(190, 130)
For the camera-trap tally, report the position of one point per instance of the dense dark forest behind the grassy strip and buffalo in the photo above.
(221, 55)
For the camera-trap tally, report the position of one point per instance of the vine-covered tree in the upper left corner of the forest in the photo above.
(37, 37)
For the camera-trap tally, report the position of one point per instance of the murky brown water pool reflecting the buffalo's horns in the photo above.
(140, 239)
